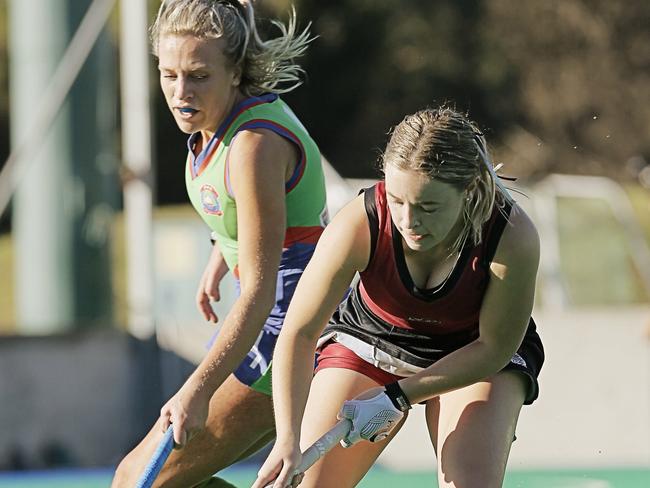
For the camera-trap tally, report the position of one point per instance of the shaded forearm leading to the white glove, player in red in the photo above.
(467, 365)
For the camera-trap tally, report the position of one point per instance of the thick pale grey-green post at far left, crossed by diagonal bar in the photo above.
(43, 205)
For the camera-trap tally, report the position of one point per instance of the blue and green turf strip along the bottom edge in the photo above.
(377, 478)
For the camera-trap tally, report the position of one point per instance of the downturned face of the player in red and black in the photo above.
(424, 210)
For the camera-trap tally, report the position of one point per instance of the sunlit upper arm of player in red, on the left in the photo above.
(342, 250)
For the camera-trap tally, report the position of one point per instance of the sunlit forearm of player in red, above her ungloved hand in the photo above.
(293, 367)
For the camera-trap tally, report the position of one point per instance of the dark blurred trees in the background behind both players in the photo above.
(560, 85)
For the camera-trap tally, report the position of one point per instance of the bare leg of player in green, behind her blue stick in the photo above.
(239, 418)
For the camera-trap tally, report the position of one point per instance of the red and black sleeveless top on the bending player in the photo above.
(386, 310)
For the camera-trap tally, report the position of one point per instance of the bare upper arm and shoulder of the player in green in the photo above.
(257, 163)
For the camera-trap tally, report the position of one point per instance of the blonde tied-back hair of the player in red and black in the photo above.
(445, 145)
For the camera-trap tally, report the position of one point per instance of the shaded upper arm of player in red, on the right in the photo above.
(508, 301)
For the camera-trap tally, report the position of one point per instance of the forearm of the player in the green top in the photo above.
(239, 332)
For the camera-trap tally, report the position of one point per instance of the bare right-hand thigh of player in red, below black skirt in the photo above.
(472, 430)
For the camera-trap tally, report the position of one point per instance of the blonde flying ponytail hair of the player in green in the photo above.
(264, 65)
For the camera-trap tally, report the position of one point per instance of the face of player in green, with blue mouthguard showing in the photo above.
(199, 84)
